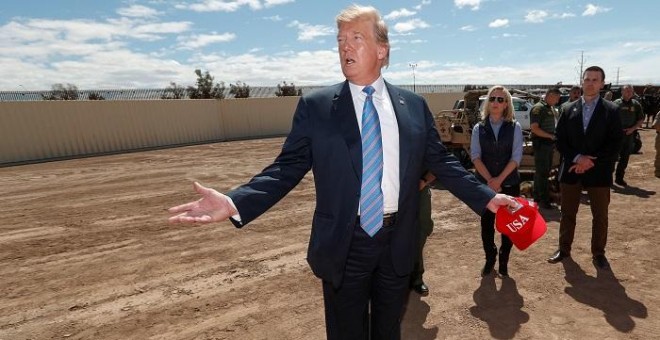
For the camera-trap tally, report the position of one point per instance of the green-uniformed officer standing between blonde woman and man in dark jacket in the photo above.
(542, 120)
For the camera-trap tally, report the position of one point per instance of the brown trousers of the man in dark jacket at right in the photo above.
(599, 199)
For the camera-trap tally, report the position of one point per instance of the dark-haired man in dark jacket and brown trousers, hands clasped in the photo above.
(588, 136)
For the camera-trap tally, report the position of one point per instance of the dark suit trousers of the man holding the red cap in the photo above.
(371, 297)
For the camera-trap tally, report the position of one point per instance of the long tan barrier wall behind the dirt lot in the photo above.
(47, 130)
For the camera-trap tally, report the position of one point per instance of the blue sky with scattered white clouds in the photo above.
(150, 43)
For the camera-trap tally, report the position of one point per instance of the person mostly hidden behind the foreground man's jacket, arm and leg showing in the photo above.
(425, 229)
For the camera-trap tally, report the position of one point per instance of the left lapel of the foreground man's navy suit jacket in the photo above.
(343, 111)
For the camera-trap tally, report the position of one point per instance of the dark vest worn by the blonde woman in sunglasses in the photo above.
(496, 153)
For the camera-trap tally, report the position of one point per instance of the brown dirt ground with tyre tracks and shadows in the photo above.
(86, 253)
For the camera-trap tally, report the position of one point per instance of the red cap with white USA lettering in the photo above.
(522, 224)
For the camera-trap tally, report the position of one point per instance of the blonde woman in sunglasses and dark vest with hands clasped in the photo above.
(496, 152)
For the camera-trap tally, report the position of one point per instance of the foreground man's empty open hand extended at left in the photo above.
(212, 207)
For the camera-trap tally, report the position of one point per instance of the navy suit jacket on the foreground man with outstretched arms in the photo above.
(325, 138)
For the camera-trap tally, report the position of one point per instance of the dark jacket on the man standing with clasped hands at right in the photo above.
(602, 139)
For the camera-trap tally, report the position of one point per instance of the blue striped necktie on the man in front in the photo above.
(371, 194)
